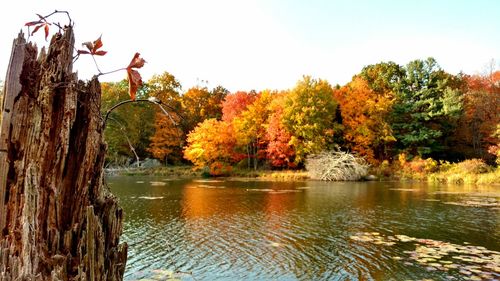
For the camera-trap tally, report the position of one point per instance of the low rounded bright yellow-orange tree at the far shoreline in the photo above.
(211, 145)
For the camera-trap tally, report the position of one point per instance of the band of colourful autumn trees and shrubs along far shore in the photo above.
(414, 121)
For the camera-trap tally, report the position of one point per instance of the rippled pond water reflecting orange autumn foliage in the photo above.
(254, 230)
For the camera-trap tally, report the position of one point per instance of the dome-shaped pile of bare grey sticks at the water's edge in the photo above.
(336, 165)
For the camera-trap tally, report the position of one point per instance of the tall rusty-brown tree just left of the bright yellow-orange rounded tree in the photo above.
(168, 138)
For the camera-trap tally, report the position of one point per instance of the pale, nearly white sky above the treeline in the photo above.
(269, 44)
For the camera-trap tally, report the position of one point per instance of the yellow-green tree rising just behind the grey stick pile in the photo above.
(309, 115)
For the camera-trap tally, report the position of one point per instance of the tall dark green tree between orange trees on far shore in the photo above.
(426, 109)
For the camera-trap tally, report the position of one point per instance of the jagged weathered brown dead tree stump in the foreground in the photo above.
(57, 219)
